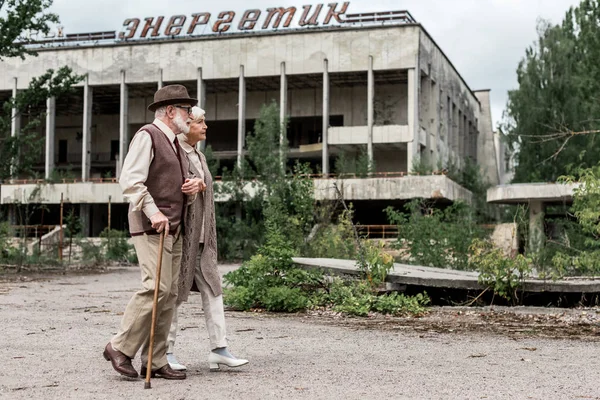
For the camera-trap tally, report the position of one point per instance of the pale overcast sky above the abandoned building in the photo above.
(484, 39)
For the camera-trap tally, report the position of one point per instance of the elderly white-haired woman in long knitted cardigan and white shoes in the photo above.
(199, 256)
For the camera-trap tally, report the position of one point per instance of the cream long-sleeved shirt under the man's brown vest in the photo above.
(135, 170)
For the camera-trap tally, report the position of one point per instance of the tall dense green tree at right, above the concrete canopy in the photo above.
(557, 98)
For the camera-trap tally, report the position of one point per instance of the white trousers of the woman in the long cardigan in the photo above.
(214, 313)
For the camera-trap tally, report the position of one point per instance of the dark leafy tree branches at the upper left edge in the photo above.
(20, 18)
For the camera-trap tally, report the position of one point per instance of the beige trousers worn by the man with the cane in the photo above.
(135, 324)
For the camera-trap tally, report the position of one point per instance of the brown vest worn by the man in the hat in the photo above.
(166, 175)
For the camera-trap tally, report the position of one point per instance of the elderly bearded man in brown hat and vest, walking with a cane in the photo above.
(154, 181)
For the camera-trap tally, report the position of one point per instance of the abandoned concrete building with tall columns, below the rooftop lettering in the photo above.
(386, 88)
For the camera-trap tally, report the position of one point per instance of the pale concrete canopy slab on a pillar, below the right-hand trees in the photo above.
(531, 192)
